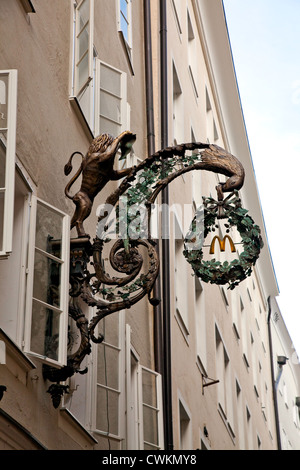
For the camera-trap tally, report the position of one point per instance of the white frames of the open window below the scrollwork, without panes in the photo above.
(130, 391)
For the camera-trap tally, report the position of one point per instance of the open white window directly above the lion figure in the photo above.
(98, 91)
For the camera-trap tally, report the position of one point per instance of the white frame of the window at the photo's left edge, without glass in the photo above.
(10, 161)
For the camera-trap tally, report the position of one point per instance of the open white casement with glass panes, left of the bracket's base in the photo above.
(48, 283)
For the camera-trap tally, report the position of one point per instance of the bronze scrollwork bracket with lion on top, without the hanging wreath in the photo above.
(133, 255)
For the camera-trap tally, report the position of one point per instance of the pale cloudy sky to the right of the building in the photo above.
(265, 41)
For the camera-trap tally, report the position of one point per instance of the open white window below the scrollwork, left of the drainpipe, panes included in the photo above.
(128, 397)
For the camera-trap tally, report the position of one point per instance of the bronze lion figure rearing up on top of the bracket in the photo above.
(97, 169)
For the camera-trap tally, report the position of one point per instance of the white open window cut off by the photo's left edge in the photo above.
(8, 113)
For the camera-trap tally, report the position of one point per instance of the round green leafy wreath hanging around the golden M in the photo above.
(213, 271)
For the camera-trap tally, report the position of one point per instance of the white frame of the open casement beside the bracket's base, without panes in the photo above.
(64, 285)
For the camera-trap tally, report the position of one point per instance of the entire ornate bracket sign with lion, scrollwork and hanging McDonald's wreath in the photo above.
(133, 256)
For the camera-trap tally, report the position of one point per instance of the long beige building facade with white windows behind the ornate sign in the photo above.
(193, 372)
